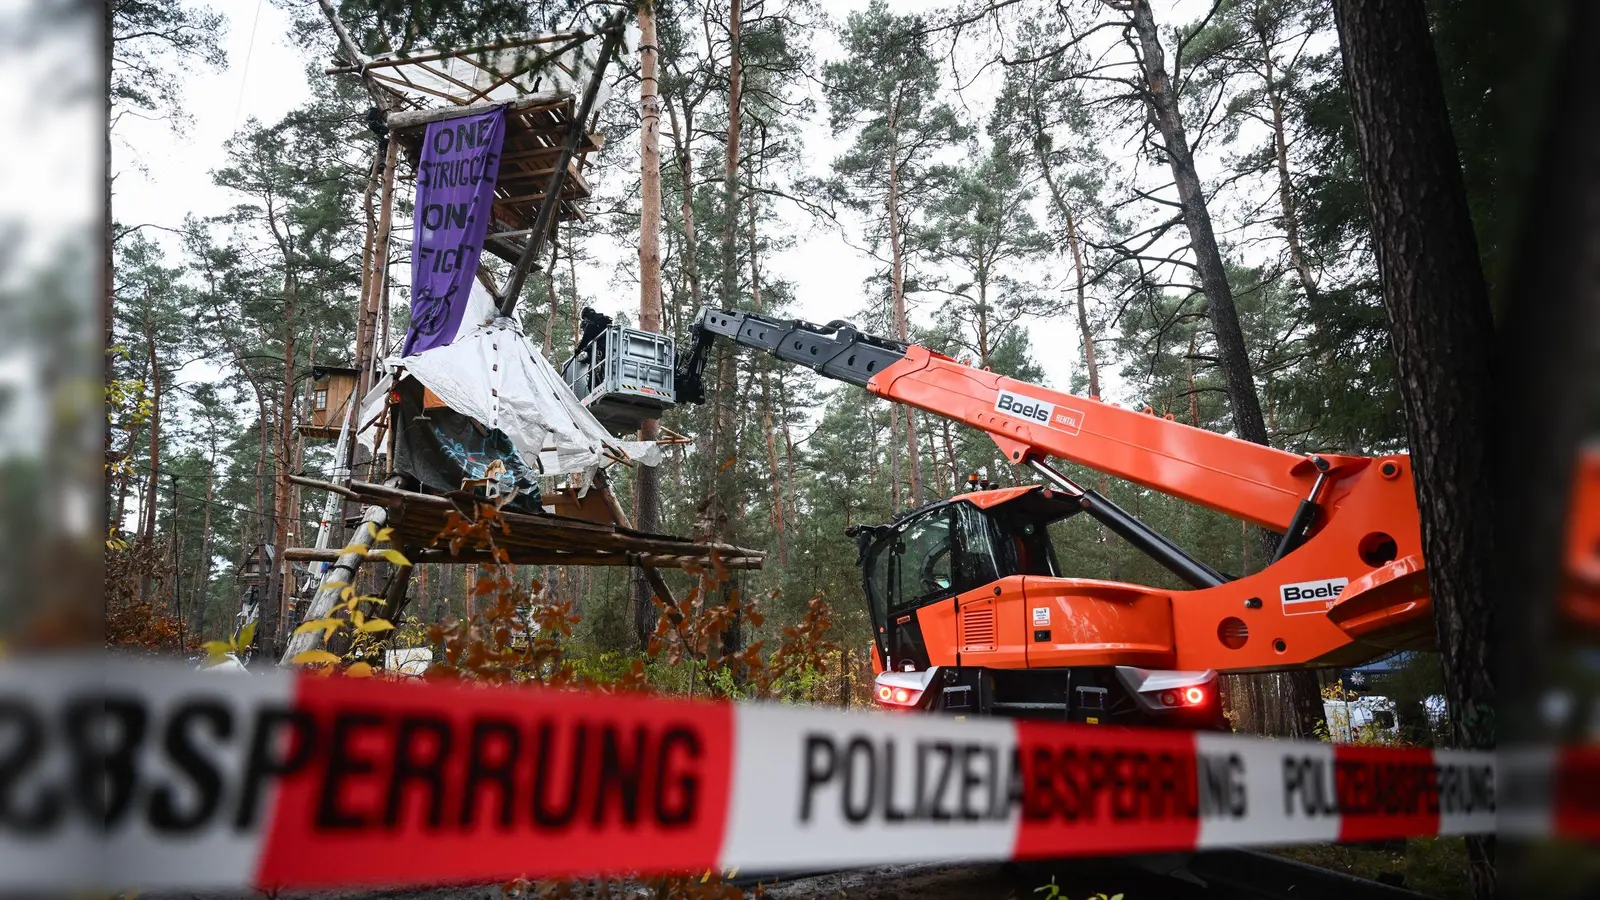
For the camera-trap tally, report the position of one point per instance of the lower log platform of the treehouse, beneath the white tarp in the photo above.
(585, 536)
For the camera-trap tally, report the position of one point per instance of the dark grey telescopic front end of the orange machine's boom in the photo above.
(836, 350)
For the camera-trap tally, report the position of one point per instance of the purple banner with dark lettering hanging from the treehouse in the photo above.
(455, 190)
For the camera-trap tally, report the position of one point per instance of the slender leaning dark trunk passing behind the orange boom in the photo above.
(1233, 356)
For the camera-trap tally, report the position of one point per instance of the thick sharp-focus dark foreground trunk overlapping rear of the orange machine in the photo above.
(1444, 337)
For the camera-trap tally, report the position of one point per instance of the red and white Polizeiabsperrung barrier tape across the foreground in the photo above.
(126, 774)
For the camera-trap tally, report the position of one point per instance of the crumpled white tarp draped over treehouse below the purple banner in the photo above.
(498, 379)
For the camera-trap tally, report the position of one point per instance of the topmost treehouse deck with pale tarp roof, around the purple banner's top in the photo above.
(538, 79)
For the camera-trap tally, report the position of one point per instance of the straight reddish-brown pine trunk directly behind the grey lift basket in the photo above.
(647, 494)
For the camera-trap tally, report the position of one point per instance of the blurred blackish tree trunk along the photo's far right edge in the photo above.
(1548, 342)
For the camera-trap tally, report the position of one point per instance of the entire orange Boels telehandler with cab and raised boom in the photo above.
(974, 611)
